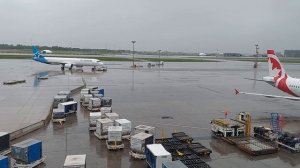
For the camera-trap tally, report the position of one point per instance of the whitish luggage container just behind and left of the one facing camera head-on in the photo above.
(102, 127)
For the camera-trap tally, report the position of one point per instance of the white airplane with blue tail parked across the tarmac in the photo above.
(65, 62)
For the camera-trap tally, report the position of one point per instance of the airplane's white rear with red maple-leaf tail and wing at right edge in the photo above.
(279, 79)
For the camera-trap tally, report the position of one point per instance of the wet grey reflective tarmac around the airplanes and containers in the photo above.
(175, 97)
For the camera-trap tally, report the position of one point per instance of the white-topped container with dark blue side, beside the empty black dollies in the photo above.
(156, 155)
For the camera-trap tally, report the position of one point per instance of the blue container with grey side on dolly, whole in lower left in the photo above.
(27, 152)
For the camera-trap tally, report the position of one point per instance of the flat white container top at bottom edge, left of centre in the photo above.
(75, 161)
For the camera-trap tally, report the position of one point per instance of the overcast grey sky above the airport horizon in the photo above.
(173, 25)
